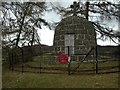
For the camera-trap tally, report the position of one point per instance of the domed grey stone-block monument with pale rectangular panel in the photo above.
(76, 32)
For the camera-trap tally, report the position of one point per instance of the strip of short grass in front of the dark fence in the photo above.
(36, 80)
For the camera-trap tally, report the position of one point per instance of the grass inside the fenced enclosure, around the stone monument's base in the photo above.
(46, 66)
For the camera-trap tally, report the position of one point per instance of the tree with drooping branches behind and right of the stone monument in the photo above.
(106, 11)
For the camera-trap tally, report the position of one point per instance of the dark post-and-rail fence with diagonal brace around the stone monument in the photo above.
(49, 63)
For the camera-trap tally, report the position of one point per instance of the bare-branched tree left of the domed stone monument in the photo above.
(19, 22)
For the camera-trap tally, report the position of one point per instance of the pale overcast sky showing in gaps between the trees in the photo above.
(47, 35)
